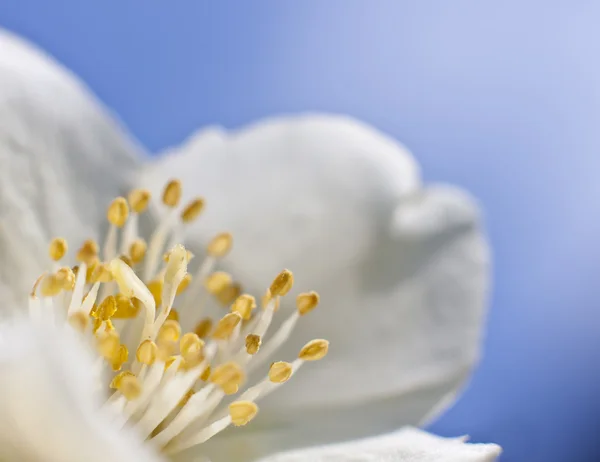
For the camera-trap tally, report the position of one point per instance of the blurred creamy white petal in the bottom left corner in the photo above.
(48, 408)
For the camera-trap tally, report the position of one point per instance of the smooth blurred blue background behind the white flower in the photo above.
(502, 97)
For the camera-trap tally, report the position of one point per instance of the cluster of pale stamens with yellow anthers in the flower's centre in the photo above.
(172, 374)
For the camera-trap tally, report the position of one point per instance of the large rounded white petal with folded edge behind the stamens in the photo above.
(402, 271)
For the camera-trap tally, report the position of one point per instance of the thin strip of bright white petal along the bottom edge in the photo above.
(406, 445)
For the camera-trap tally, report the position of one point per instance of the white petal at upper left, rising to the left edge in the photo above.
(62, 159)
